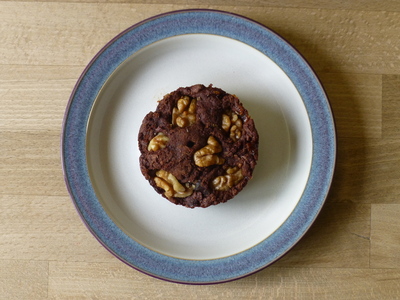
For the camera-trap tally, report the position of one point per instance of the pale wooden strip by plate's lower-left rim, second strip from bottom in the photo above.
(46, 228)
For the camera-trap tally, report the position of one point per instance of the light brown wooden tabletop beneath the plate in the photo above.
(351, 252)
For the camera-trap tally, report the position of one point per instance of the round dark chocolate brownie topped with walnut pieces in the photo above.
(200, 146)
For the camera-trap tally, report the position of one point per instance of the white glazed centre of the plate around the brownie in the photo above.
(285, 149)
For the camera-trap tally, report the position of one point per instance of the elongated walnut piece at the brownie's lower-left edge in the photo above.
(171, 185)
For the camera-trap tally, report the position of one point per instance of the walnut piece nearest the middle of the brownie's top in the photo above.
(207, 155)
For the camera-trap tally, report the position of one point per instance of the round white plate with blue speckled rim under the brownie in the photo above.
(123, 83)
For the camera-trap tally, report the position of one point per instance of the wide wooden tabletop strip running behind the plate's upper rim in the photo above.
(332, 40)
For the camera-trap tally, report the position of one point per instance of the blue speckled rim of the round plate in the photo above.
(73, 146)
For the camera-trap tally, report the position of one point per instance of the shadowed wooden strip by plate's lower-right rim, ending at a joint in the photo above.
(339, 238)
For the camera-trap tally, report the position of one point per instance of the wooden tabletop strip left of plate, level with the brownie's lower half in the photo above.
(31, 162)
